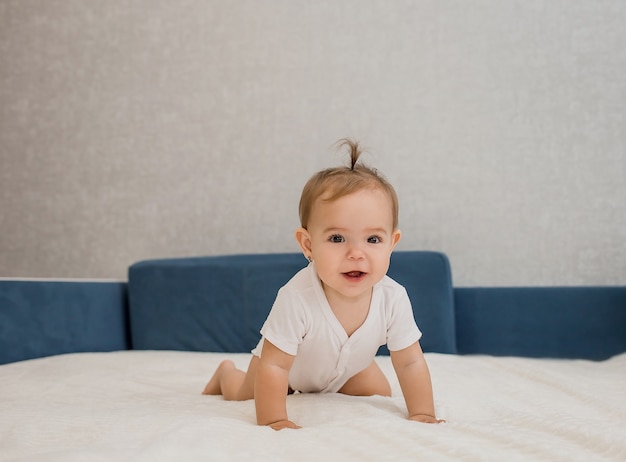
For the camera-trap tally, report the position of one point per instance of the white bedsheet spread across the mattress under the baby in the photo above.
(146, 405)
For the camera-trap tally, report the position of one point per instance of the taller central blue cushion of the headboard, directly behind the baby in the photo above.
(219, 303)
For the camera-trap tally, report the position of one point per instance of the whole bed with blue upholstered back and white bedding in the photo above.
(140, 397)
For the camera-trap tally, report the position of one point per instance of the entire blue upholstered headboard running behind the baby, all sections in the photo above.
(219, 304)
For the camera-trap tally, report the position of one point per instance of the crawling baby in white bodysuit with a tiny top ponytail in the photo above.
(328, 321)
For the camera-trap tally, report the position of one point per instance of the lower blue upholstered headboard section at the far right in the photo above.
(554, 322)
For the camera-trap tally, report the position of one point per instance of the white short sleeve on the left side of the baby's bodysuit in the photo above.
(285, 326)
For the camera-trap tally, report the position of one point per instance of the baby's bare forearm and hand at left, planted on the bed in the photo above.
(271, 387)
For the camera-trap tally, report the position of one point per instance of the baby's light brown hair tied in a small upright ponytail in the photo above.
(338, 182)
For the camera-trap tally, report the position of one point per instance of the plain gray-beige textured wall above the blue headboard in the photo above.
(153, 128)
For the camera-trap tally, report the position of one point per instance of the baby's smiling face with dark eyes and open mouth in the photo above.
(351, 242)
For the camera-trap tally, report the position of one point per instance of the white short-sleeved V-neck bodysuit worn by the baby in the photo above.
(302, 324)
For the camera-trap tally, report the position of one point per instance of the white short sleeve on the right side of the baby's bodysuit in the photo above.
(402, 331)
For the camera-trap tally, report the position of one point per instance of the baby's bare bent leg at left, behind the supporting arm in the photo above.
(234, 384)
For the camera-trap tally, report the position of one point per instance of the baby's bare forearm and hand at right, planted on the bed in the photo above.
(414, 377)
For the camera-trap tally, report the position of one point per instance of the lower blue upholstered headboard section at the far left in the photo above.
(46, 317)
